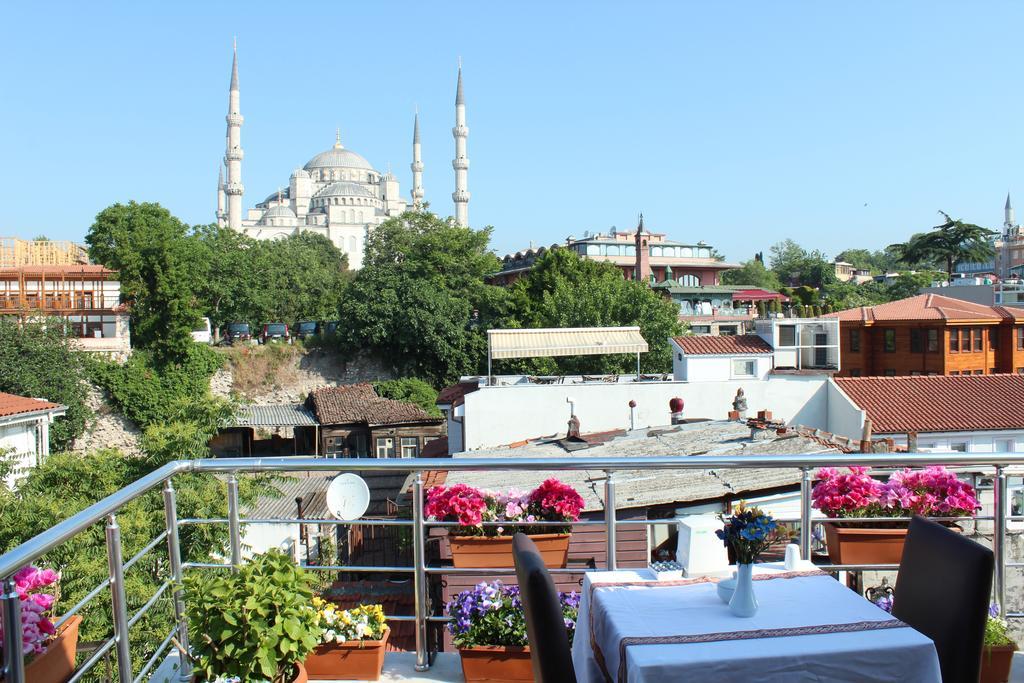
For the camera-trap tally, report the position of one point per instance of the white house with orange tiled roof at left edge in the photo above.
(25, 433)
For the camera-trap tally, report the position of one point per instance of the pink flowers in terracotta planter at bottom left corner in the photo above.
(53, 650)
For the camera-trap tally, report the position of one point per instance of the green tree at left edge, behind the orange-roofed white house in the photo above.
(37, 361)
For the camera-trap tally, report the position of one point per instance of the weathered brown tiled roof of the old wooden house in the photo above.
(359, 404)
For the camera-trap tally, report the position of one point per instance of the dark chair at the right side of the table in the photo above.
(944, 591)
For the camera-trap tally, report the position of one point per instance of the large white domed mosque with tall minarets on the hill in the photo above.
(337, 194)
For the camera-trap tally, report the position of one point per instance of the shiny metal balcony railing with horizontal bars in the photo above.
(111, 659)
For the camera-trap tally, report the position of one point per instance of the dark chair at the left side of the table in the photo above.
(549, 644)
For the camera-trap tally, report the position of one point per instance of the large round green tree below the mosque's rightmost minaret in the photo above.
(413, 303)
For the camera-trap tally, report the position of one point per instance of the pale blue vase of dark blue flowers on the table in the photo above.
(749, 533)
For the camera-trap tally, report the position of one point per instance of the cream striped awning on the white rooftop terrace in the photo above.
(565, 341)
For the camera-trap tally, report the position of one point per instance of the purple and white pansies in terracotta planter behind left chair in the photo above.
(489, 627)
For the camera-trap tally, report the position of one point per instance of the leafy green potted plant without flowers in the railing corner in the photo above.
(254, 624)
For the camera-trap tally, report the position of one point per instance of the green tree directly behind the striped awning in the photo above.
(565, 291)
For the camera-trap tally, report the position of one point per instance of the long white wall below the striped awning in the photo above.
(502, 415)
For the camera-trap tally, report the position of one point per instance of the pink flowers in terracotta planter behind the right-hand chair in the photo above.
(932, 492)
